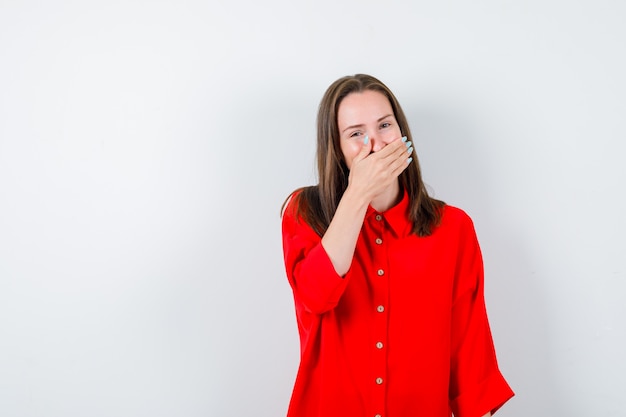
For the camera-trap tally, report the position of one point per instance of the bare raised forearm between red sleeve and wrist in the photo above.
(340, 238)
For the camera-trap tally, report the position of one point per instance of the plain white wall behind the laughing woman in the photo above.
(146, 148)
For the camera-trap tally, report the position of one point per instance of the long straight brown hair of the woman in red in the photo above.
(317, 204)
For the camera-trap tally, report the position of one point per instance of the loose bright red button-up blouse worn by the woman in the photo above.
(404, 333)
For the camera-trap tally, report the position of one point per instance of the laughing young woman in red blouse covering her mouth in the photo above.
(387, 281)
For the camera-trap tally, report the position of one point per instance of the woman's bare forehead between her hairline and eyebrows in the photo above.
(363, 107)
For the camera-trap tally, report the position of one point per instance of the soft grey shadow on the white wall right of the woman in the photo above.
(454, 154)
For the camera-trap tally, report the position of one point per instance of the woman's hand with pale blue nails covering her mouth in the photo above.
(373, 173)
